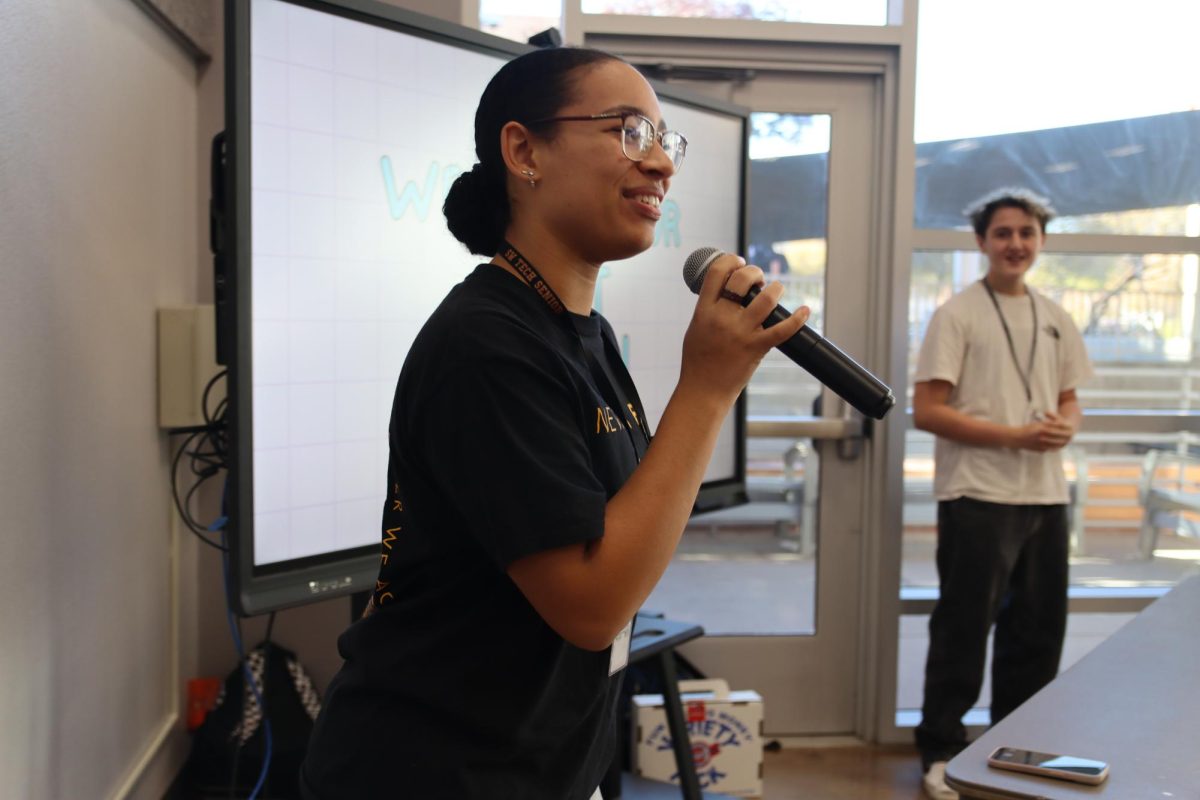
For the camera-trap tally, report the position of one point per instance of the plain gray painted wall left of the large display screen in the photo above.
(105, 128)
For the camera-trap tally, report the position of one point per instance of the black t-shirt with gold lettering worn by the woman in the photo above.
(503, 443)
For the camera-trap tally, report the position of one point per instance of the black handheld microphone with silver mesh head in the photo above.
(818, 356)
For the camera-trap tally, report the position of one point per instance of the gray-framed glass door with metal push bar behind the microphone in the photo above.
(777, 584)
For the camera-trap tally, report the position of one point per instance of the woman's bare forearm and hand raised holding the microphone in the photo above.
(589, 592)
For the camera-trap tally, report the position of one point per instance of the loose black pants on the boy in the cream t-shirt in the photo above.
(997, 564)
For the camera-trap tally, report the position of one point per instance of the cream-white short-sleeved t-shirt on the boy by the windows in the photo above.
(967, 346)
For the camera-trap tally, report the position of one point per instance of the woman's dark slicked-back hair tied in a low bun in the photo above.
(530, 88)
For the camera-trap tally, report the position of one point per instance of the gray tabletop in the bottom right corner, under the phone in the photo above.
(1133, 702)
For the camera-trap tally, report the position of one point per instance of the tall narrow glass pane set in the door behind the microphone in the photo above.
(769, 545)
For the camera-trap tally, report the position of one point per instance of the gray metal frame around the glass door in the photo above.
(883, 57)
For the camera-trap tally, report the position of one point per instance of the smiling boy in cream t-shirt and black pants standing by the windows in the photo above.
(997, 383)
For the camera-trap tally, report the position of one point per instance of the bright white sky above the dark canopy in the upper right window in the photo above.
(1051, 64)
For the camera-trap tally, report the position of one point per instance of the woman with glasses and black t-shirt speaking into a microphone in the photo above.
(530, 513)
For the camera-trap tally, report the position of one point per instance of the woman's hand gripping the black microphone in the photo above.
(725, 342)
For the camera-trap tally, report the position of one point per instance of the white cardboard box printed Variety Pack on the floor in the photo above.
(725, 730)
